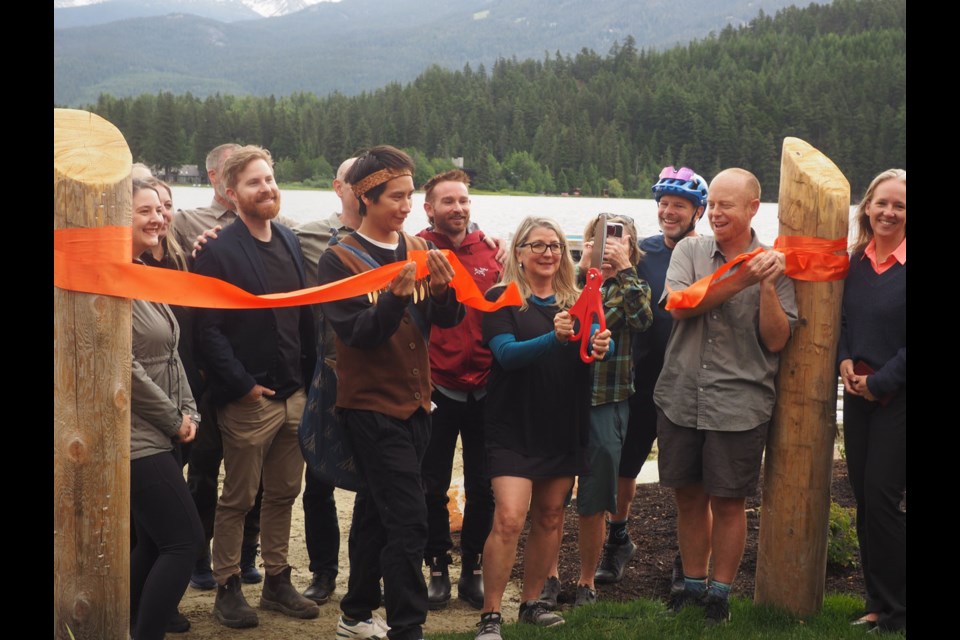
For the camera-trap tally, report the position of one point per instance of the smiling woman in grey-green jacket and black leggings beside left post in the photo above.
(162, 414)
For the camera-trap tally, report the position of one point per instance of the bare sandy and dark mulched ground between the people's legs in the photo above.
(652, 527)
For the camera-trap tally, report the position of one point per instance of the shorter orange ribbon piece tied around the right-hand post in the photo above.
(807, 259)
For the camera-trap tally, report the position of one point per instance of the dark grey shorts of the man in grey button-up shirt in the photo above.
(727, 463)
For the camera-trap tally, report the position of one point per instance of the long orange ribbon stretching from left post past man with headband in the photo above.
(98, 261)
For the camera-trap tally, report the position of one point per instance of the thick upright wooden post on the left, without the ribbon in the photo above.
(91, 395)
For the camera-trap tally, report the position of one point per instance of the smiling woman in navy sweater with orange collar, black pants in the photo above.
(873, 364)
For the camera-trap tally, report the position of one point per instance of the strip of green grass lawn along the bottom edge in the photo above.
(648, 619)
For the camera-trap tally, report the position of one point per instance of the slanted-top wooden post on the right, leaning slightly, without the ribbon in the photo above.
(794, 515)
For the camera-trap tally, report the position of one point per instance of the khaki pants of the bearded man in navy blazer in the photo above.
(258, 437)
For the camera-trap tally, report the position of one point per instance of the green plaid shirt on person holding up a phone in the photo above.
(626, 299)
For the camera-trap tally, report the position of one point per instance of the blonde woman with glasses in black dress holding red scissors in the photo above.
(537, 416)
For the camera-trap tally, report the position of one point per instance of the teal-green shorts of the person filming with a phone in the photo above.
(597, 488)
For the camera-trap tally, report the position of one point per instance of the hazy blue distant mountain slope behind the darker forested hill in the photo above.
(356, 45)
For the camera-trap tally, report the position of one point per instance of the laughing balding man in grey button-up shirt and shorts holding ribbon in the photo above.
(715, 394)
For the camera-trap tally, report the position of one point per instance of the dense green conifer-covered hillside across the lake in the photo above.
(834, 75)
